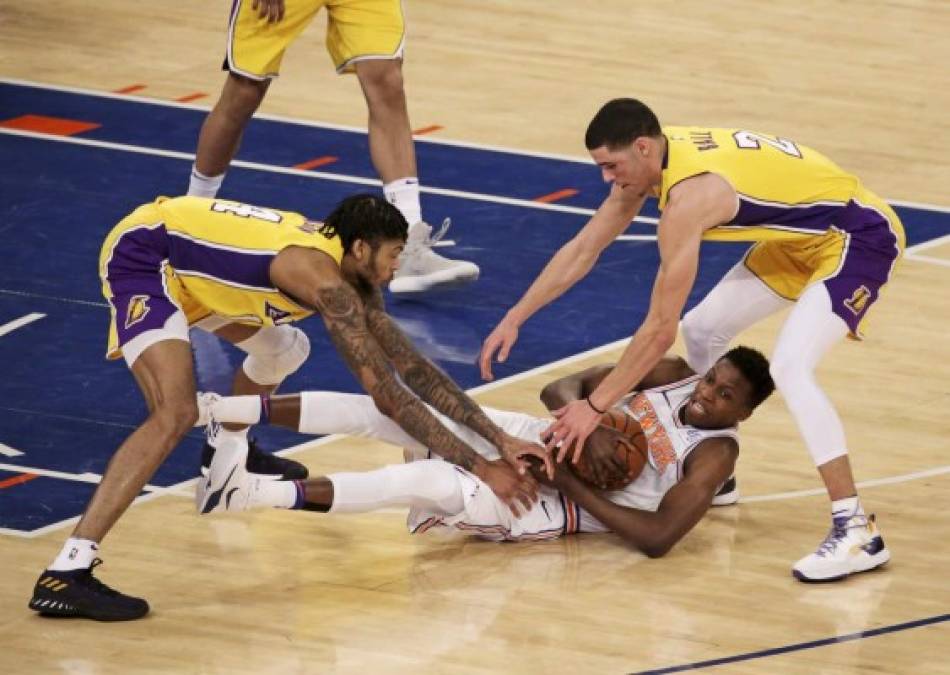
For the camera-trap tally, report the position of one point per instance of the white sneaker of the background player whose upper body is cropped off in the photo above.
(421, 268)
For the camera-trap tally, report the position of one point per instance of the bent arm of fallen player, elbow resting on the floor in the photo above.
(655, 532)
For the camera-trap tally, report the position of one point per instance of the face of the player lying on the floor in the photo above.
(721, 398)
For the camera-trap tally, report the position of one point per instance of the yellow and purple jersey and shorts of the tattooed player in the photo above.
(202, 257)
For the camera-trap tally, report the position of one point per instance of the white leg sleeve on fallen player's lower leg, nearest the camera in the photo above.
(430, 484)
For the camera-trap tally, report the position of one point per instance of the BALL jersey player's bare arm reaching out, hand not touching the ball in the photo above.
(568, 266)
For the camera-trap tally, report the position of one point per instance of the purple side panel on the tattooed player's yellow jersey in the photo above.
(228, 265)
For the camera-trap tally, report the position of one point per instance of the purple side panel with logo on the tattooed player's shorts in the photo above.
(134, 275)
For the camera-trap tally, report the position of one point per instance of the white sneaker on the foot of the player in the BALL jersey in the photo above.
(854, 544)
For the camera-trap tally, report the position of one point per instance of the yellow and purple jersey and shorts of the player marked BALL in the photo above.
(812, 221)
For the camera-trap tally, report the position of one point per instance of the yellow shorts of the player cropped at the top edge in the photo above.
(357, 30)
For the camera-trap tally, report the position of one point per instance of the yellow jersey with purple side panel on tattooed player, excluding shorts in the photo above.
(219, 253)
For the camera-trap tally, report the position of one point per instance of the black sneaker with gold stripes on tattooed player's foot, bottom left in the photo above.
(79, 593)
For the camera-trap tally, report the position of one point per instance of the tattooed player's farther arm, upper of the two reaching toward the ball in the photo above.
(437, 389)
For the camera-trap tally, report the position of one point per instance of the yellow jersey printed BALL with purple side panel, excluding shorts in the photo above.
(785, 190)
